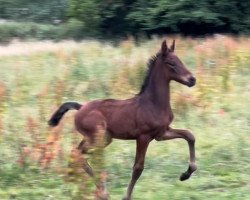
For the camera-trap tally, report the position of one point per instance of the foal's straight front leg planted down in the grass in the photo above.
(141, 149)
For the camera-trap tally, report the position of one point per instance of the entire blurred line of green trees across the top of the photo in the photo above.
(132, 17)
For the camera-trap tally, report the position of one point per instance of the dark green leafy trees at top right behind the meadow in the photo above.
(162, 16)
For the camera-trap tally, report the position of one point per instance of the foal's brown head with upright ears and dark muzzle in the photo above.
(173, 67)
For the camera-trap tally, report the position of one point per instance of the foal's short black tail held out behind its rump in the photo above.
(57, 116)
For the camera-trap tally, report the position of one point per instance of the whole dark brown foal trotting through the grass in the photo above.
(145, 117)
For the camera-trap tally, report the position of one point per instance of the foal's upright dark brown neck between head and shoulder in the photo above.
(158, 91)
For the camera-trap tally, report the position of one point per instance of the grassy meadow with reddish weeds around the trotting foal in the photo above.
(36, 77)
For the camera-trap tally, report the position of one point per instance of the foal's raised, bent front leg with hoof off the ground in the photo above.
(189, 137)
